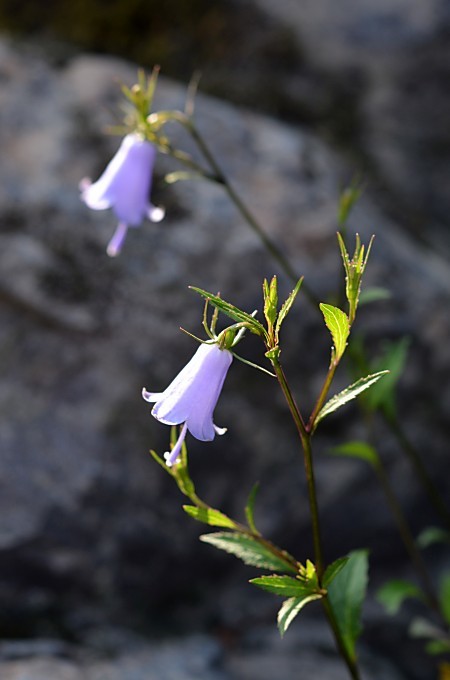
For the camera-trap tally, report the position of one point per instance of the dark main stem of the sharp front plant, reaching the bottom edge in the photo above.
(305, 438)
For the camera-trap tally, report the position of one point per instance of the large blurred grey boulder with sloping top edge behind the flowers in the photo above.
(91, 531)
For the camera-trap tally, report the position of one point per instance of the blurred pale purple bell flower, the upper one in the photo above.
(125, 187)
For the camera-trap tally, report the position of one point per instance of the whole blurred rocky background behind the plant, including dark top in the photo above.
(101, 573)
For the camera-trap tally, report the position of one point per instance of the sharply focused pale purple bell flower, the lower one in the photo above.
(192, 396)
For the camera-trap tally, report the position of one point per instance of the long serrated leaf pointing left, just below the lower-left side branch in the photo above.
(249, 549)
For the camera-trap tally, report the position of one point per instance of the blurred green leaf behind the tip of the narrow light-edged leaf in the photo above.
(393, 359)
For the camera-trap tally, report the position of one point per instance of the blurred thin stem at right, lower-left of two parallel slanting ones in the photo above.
(407, 537)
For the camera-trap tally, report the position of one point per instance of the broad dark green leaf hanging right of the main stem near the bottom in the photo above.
(346, 595)
